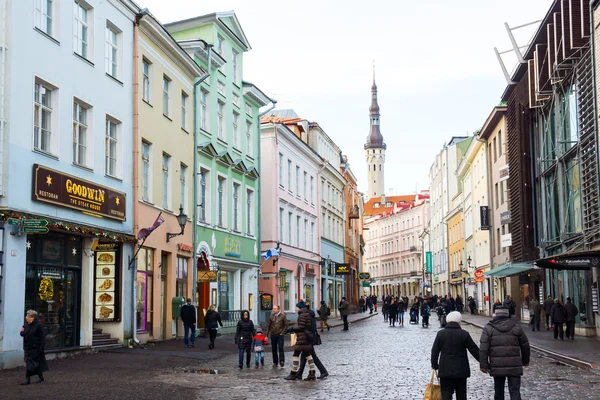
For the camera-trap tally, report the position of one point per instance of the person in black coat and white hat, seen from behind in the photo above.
(449, 357)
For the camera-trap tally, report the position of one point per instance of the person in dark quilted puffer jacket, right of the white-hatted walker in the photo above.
(504, 351)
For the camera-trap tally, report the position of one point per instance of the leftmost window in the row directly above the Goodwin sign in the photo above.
(42, 118)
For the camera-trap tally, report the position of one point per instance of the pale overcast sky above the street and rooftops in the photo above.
(436, 70)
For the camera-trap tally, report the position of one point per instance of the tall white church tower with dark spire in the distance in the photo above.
(375, 149)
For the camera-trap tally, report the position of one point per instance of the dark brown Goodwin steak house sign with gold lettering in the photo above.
(55, 187)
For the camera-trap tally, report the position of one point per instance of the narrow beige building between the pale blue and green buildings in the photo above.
(163, 129)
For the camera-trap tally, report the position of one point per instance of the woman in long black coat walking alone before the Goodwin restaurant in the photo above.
(34, 344)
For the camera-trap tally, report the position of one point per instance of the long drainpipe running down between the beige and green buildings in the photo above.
(195, 172)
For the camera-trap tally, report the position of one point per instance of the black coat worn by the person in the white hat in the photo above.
(453, 342)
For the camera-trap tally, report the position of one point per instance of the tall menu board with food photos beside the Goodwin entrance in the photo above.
(106, 268)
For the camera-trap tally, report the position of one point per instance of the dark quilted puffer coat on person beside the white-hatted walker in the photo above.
(504, 347)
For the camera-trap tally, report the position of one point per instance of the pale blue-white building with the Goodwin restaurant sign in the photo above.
(66, 111)
